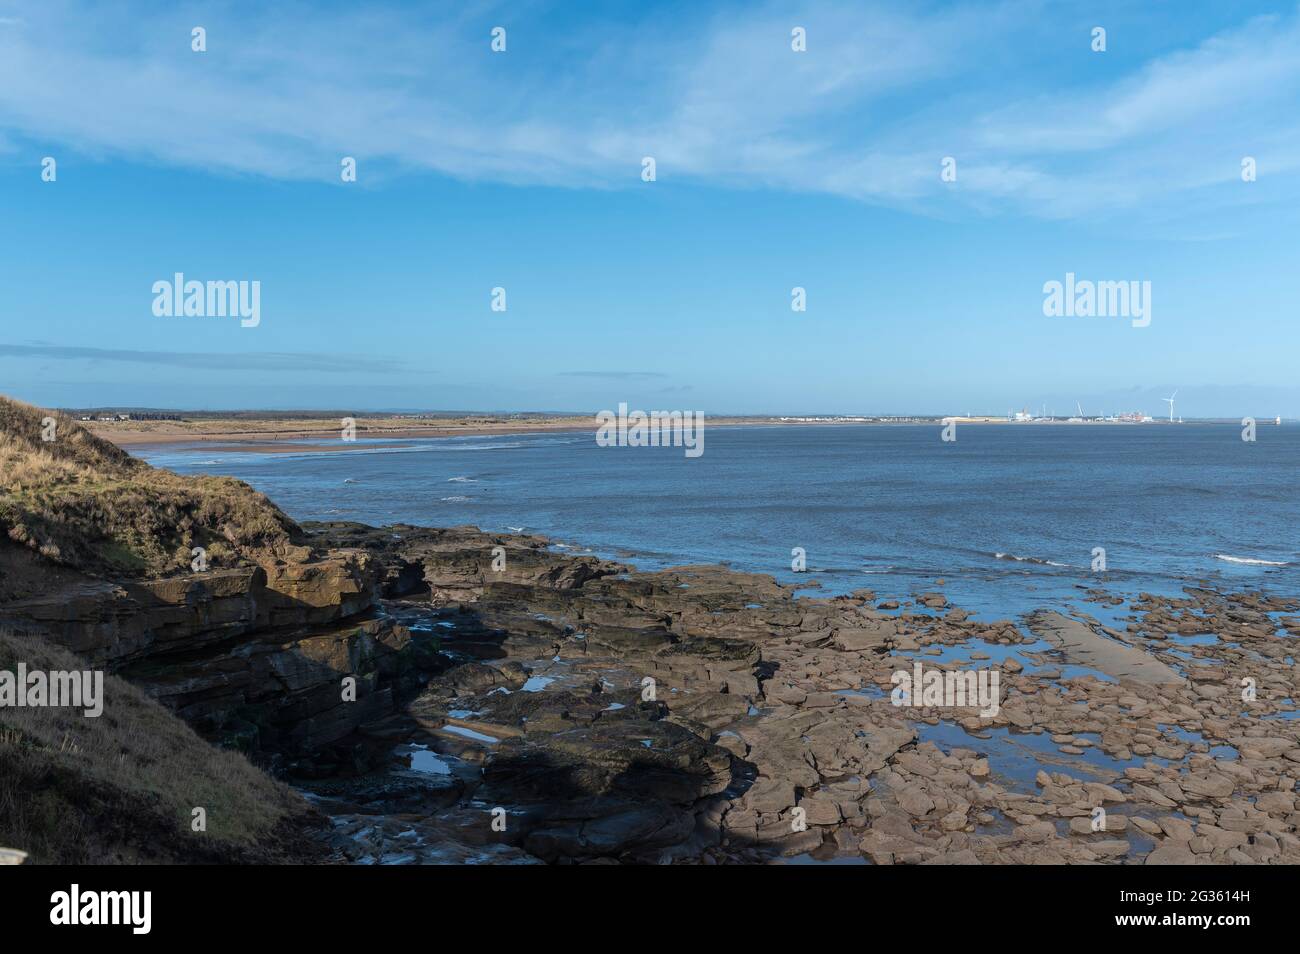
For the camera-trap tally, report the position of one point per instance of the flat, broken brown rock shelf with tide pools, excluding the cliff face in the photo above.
(770, 732)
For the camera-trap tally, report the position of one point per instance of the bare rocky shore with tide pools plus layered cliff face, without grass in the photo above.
(522, 705)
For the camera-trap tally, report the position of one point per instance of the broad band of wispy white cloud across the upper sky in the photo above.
(883, 94)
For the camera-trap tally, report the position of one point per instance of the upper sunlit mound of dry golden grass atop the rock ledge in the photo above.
(86, 504)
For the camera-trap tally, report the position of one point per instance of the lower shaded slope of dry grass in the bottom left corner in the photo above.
(120, 788)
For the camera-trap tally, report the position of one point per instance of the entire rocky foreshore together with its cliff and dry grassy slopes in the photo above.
(461, 696)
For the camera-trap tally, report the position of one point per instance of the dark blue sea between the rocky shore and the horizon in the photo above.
(886, 508)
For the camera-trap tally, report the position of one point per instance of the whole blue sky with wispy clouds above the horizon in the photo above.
(774, 170)
